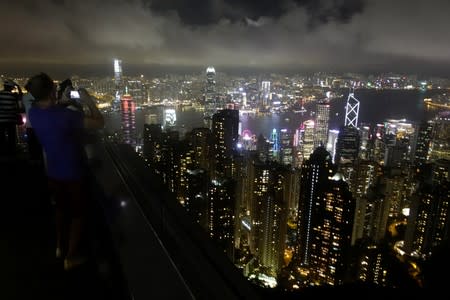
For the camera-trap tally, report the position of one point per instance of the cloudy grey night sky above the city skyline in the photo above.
(328, 35)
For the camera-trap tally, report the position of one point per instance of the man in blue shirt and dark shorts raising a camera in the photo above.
(60, 132)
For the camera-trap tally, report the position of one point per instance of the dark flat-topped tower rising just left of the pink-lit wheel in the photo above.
(225, 137)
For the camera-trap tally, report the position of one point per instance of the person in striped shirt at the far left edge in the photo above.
(9, 112)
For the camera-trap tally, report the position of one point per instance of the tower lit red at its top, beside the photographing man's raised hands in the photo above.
(128, 110)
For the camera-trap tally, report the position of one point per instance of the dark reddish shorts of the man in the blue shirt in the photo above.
(69, 195)
